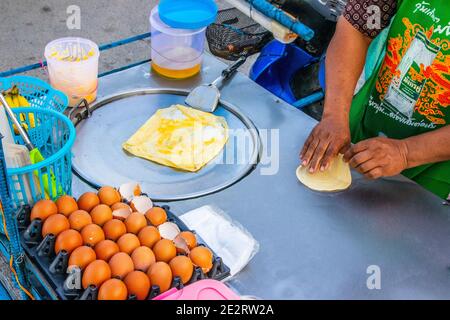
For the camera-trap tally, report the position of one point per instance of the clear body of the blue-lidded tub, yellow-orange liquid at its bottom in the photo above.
(176, 53)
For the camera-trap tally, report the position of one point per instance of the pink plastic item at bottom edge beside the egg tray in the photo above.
(200, 290)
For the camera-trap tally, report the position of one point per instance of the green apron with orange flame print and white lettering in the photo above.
(409, 91)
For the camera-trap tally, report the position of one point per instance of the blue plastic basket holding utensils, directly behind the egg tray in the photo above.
(54, 135)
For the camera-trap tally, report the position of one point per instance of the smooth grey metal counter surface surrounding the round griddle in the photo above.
(317, 245)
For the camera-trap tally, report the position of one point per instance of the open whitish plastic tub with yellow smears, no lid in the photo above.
(72, 65)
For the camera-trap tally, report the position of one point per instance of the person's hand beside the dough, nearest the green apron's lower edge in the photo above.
(378, 157)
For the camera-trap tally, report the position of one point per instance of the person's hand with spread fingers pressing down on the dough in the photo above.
(330, 137)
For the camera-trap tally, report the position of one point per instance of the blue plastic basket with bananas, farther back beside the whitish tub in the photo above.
(38, 93)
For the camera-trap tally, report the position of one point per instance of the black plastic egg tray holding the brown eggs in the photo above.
(55, 267)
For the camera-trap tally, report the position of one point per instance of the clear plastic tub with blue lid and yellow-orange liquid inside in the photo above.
(178, 36)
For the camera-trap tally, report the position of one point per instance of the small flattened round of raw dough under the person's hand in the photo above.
(337, 177)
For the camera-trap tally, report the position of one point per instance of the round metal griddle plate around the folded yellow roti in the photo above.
(100, 160)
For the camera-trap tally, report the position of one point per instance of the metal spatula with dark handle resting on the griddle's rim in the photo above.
(206, 97)
